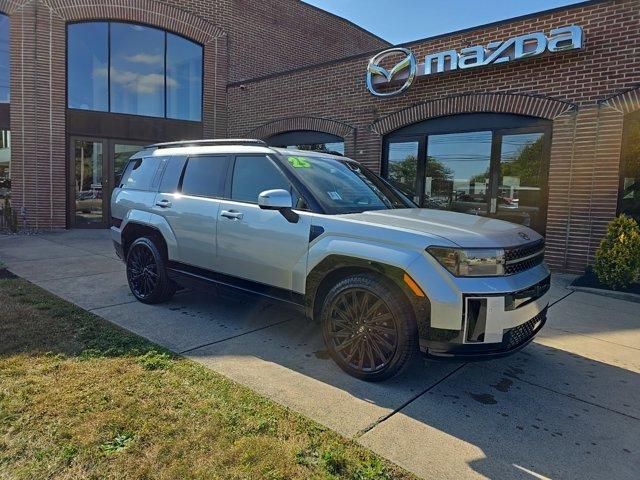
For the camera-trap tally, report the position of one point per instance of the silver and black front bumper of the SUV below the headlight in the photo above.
(474, 318)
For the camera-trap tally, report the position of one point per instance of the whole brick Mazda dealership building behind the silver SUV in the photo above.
(551, 140)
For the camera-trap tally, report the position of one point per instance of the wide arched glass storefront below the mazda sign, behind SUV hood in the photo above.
(484, 164)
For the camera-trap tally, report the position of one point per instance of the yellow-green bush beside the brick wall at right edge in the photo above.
(618, 257)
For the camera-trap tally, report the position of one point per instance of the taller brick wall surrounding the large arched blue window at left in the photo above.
(264, 37)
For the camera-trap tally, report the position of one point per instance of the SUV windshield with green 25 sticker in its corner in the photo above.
(343, 186)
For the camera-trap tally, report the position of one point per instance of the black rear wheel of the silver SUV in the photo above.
(147, 272)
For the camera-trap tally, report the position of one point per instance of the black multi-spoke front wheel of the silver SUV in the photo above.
(368, 327)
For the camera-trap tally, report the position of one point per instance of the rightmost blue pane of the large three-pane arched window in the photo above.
(184, 78)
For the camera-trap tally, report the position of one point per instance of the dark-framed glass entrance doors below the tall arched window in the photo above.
(96, 165)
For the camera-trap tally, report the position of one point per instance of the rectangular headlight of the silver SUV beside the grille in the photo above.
(470, 262)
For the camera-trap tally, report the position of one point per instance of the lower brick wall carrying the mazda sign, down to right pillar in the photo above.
(586, 137)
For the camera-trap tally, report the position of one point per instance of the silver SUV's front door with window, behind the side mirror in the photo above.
(260, 245)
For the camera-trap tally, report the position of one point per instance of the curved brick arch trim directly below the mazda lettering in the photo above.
(519, 104)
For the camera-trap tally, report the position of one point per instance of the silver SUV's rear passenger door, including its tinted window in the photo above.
(189, 199)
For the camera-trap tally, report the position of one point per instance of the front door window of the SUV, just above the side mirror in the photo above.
(253, 175)
